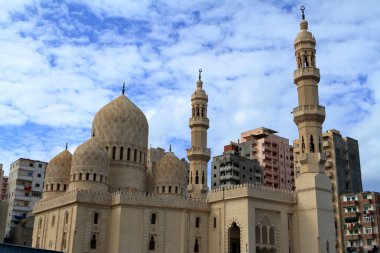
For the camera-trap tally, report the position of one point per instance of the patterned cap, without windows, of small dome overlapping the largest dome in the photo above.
(91, 156)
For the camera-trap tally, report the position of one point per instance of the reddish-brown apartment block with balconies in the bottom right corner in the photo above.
(361, 222)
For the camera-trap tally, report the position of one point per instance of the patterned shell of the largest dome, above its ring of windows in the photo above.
(121, 123)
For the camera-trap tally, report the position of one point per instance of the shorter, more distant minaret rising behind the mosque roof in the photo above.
(198, 154)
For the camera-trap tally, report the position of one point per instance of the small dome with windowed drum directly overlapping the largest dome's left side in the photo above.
(90, 165)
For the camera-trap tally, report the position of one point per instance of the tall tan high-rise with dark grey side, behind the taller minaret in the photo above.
(343, 168)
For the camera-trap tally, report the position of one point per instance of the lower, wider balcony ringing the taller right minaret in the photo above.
(309, 112)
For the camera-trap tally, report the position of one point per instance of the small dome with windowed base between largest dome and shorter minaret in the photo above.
(170, 174)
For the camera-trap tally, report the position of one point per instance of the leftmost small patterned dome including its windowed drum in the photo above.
(57, 175)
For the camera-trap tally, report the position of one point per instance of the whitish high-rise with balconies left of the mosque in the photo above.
(25, 186)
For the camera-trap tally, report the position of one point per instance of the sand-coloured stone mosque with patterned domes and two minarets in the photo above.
(99, 200)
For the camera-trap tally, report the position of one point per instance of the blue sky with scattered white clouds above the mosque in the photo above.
(61, 61)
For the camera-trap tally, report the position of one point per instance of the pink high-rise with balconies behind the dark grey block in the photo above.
(274, 154)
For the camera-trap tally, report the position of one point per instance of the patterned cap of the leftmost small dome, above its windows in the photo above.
(59, 167)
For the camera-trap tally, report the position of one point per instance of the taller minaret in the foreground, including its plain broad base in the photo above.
(315, 217)
